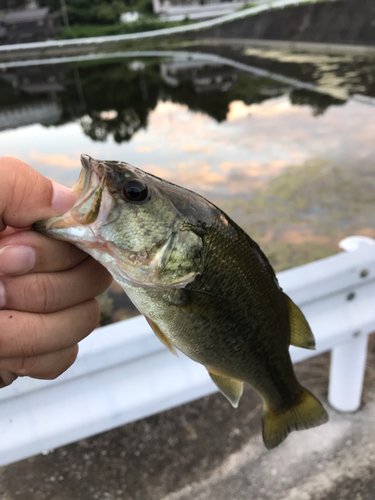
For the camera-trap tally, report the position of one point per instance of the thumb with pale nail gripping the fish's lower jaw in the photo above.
(26, 196)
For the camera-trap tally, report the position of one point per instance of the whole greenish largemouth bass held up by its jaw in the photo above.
(204, 286)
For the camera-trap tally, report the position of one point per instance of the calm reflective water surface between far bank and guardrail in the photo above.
(284, 142)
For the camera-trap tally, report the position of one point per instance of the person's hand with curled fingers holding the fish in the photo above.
(47, 287)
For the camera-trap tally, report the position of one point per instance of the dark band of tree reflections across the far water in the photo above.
(114, 98)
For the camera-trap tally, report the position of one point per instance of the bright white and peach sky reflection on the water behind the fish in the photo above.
(231, 158)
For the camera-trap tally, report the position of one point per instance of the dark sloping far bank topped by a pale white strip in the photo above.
(349, 23)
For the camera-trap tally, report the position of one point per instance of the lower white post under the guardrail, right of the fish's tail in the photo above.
(348, 363)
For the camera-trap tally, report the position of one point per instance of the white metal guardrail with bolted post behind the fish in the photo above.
(123, 373)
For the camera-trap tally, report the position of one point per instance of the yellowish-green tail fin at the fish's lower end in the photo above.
(277, 424)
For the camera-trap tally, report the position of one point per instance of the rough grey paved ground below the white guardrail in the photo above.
(207, 451)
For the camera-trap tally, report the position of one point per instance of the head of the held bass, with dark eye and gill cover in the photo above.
(145, 231)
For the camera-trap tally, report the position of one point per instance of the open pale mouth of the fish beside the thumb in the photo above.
(92, 205)
